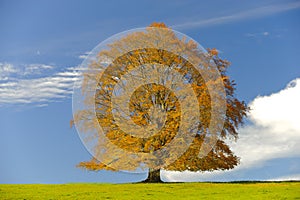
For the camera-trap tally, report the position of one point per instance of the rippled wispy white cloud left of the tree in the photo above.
(23, 90)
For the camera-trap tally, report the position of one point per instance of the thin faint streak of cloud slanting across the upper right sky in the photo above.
(243, 15)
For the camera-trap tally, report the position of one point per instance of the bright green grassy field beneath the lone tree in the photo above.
(283, 190)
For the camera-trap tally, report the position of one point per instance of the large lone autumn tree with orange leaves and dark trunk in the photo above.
(142, 119)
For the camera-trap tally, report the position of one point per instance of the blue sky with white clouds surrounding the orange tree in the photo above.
(42, 44)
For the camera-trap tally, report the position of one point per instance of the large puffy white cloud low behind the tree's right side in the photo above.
(273, 133)
